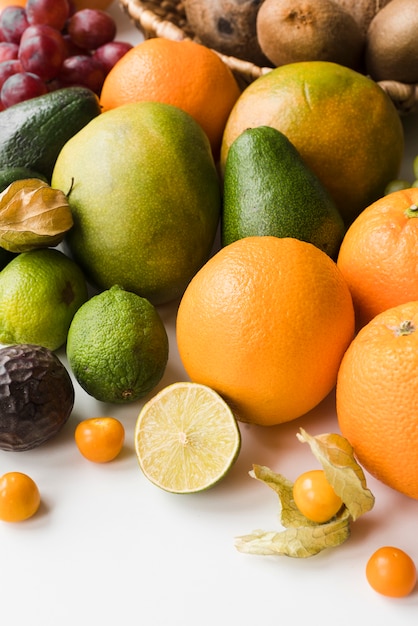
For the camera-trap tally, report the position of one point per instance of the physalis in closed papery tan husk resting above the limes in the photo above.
(33, 215)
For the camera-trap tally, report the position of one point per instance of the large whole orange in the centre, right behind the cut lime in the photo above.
(265, 323)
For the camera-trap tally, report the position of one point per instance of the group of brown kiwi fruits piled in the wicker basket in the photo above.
(376, 37)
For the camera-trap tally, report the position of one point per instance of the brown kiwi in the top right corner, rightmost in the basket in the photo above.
(392, 43)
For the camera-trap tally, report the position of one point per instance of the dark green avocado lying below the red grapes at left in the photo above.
(33, 132)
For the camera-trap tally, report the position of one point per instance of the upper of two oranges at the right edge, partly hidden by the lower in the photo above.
(379, 255)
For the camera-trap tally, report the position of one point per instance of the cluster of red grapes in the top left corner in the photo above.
(47, 45)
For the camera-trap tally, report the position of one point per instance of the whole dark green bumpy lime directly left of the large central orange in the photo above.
(117, 346)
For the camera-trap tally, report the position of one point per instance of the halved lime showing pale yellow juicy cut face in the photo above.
(186, 438)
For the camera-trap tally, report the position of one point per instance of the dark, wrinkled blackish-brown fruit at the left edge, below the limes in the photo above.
(36, 396)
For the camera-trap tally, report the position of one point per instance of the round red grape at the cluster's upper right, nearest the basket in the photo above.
(91, 28)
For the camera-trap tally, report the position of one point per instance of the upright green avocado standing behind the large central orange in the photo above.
(269, 190)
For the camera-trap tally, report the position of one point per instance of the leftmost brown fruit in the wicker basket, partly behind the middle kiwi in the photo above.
(229, 26)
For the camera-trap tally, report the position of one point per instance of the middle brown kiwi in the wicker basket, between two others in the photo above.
(290, 31)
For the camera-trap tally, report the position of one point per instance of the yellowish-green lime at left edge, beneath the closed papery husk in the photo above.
(40, 290)
